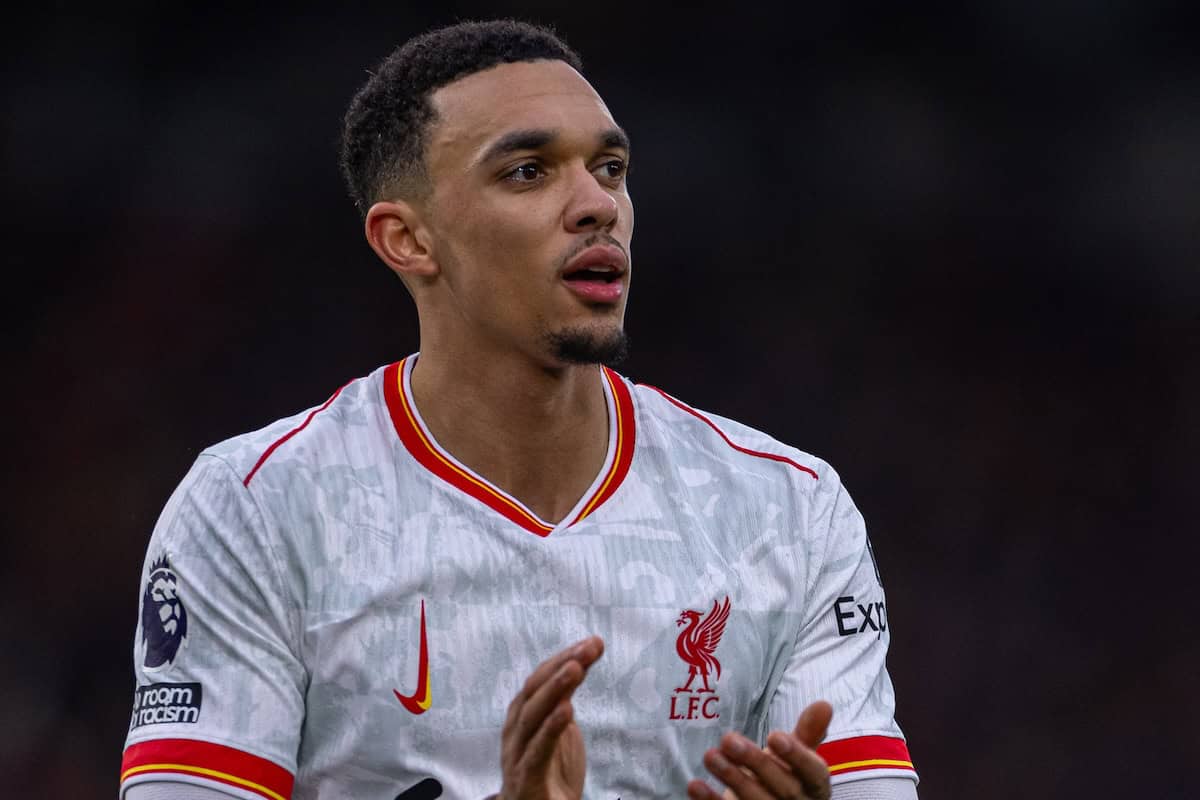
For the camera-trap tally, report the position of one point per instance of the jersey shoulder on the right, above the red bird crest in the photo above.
(688, 434)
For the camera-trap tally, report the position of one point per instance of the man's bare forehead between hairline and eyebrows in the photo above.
(483, 107)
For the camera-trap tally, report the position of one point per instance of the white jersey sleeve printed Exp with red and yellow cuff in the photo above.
(842, 647)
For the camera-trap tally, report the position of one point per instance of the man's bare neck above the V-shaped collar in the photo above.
(542, 435)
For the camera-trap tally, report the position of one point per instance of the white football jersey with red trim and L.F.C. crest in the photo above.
(335, 607)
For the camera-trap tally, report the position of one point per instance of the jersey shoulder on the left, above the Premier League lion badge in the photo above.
(319, 436)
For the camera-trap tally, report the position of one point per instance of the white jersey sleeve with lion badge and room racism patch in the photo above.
(219, 699)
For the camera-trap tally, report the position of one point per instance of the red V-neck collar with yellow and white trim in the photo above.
(424, 448)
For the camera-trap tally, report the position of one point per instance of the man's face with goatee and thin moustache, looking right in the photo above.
(530, 215)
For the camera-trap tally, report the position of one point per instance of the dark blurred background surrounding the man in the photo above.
(953, 250)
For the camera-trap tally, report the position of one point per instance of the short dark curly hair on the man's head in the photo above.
(387, 124)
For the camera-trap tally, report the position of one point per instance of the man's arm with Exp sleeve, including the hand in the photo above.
(839, 655)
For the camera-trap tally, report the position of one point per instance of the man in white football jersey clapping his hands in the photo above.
(355, 601)
